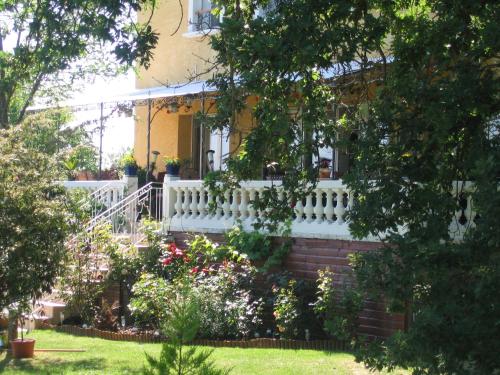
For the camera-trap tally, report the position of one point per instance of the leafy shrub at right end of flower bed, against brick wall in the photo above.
(338, 309)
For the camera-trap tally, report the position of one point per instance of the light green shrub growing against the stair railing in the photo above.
(83, 280)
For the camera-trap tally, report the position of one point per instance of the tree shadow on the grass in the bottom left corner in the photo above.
(54, 366)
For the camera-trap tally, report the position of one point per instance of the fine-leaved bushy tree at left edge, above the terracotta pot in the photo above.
(34, 221)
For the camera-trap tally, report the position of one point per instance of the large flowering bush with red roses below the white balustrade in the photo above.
(221, 279)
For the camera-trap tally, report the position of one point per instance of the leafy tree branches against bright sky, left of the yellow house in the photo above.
(43, 44)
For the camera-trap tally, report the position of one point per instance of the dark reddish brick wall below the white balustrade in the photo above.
(310, 255)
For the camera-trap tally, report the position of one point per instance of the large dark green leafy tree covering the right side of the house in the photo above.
(420, 81)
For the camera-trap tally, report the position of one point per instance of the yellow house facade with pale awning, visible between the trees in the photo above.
(176, 83)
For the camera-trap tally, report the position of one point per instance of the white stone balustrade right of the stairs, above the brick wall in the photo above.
(322, 214)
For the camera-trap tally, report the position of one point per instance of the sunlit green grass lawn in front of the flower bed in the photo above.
(115, 357)
